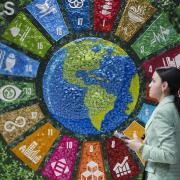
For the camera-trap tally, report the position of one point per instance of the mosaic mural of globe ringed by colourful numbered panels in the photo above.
(71, 73)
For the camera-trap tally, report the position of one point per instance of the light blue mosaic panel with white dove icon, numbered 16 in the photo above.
(48, 14)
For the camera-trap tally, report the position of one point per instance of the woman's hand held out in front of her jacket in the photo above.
(134, 143)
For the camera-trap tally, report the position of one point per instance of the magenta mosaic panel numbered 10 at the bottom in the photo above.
(61, 163)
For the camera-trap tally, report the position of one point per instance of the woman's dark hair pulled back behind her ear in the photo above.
(172, 76)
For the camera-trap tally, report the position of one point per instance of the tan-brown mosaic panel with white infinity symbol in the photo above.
(13, 124)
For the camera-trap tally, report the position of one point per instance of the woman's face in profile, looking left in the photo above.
(155, 86)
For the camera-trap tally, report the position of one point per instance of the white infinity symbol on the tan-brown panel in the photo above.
(11, 126)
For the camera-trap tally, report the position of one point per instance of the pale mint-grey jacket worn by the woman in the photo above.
(162, 142)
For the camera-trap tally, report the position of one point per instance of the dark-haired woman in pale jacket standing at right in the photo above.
(161, 147)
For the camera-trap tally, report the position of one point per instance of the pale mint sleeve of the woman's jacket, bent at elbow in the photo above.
(166, 149)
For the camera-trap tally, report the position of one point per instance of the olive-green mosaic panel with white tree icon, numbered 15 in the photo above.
(24, 34)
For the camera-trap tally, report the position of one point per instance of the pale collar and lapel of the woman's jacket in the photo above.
(167, 99)
